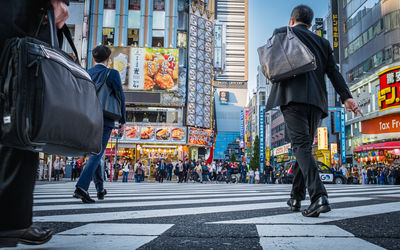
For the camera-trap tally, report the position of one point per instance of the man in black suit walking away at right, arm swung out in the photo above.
(304, 103)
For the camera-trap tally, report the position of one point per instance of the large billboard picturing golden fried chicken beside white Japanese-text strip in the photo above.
(146, 69)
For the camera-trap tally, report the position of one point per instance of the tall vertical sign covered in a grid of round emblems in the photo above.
(200, 75)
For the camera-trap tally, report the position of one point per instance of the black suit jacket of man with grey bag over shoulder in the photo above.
(310, 88)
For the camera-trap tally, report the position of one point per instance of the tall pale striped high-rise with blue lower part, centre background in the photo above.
(230, 62)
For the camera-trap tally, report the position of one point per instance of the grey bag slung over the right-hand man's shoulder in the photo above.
(285, 56)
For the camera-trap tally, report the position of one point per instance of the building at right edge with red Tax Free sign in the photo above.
(370, 60)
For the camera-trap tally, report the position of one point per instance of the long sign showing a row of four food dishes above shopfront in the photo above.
(155, 134)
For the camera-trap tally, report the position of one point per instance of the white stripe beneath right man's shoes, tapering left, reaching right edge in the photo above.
(334, 215)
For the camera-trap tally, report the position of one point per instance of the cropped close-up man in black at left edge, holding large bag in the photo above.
(18, 167)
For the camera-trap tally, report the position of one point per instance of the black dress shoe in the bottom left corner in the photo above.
(31, 236)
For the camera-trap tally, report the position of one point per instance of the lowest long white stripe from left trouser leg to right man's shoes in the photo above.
(91, 217)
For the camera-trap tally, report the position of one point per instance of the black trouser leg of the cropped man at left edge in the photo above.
(17, 179)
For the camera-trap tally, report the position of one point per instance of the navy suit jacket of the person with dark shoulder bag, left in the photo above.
(113, 80)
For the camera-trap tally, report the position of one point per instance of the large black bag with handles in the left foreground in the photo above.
(48, 102)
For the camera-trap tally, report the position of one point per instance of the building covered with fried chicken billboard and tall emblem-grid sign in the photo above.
(163, 51)
